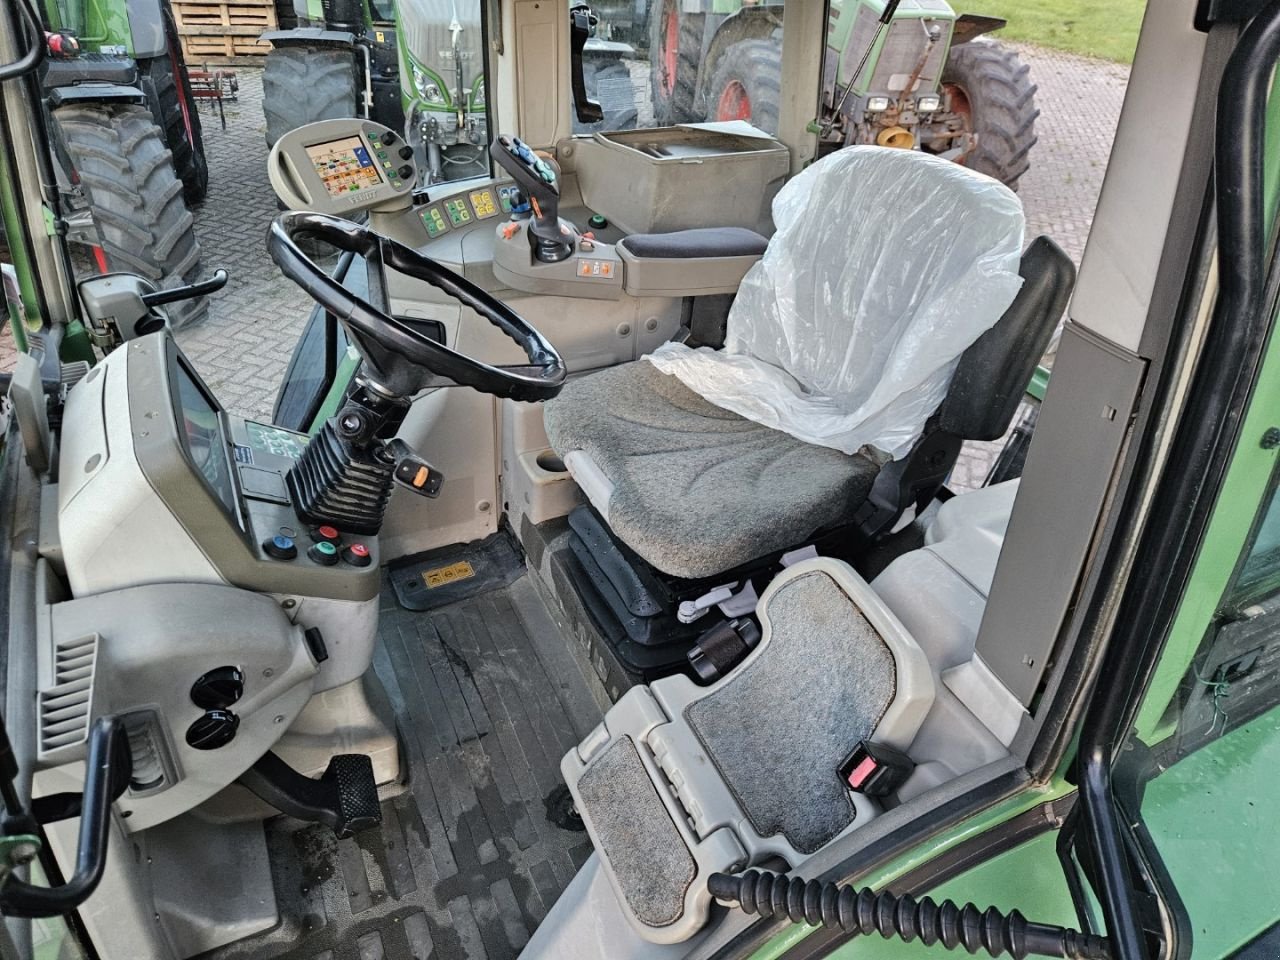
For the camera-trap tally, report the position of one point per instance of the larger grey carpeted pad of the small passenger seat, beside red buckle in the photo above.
(779, 728)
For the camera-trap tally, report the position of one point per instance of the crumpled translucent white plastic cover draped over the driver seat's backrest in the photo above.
(886, 266)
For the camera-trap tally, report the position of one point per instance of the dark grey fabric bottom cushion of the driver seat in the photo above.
(698, 490)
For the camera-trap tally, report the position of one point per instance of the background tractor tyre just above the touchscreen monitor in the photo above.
(307, 84)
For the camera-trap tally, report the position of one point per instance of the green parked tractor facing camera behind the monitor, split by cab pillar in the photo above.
(415, 66)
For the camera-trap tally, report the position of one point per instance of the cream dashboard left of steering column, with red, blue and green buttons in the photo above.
(164, 486)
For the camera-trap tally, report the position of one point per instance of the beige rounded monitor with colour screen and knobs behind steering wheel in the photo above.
(344, 167)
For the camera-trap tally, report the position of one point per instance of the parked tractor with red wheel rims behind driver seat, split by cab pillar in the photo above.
(924, 83)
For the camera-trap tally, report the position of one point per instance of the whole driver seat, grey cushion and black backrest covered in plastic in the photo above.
(877, 260)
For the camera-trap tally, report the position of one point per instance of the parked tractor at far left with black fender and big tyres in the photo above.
(129, 139)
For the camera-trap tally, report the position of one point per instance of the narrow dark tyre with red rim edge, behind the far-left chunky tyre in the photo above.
(175, 112)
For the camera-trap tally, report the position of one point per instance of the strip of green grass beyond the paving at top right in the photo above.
(1101, 29)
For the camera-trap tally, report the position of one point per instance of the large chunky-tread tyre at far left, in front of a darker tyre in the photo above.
(140, 221)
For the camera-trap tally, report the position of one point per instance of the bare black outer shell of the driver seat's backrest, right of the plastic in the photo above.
(993, 374)
